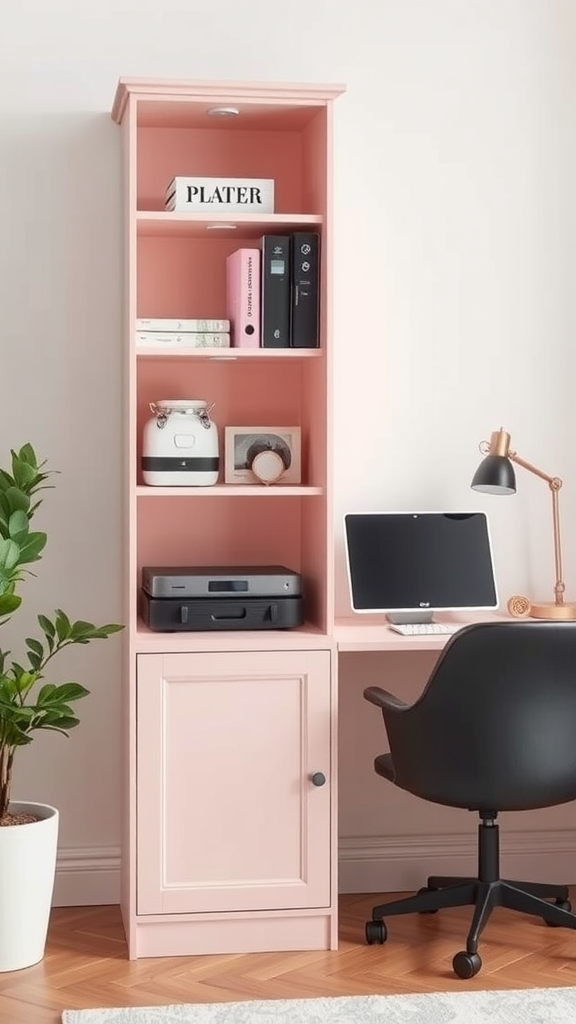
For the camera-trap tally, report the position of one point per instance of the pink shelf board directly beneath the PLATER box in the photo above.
(246, 226)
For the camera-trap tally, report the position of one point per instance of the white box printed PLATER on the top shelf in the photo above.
(221, 196)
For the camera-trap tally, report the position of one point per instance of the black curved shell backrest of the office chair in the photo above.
(496, 728)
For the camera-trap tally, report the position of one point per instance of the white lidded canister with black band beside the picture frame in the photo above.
(181, 445)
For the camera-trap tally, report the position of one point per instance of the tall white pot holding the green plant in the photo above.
(28, 864)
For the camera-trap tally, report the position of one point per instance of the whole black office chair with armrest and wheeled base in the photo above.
(495, 731)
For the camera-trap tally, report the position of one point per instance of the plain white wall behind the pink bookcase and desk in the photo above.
(455, 309)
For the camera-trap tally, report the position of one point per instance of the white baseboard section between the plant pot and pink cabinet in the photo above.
(88, 877)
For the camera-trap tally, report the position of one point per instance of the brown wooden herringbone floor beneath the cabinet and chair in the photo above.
(87, 965)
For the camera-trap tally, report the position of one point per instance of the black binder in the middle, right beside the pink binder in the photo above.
(276, 291)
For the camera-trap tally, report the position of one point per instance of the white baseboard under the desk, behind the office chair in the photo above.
(401, 864)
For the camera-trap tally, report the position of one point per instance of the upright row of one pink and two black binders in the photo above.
(273, 293)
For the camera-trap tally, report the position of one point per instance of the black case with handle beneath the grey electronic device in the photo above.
(170, 615)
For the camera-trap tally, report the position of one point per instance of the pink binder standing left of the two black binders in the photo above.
(243, 297)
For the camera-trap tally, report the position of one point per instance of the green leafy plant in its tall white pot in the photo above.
(29, 703)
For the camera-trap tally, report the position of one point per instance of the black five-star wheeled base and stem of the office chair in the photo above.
(484, 893)
